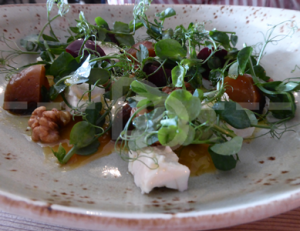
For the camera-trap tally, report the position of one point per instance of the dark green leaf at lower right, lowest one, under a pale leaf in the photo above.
(221, 162)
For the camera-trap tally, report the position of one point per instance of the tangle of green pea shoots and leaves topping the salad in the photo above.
(181, 112)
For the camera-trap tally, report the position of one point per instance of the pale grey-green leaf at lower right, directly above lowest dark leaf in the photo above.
(230, 147)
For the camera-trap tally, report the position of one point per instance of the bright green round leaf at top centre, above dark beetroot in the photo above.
(169, 49)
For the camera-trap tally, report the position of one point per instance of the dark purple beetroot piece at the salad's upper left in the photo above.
(75, 46)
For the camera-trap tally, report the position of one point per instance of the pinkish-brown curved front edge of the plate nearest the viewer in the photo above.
(46, 213)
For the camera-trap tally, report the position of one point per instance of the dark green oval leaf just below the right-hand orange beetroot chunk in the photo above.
(233, 114)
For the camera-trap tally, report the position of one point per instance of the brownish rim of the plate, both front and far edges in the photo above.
(47, 213)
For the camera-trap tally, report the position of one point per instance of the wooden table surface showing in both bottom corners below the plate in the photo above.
(289, 221)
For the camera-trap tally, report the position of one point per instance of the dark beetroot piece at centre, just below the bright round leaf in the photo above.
(158, 79)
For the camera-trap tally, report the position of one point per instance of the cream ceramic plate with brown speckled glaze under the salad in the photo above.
(102, 196)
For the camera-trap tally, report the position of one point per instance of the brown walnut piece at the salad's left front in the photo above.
(45, 124)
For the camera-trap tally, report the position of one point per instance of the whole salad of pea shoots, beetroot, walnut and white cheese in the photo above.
(177, 88)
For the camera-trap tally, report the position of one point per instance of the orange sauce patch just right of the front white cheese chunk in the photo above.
(196, 158)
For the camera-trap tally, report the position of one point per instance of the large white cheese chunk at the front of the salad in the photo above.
(168, 172)
